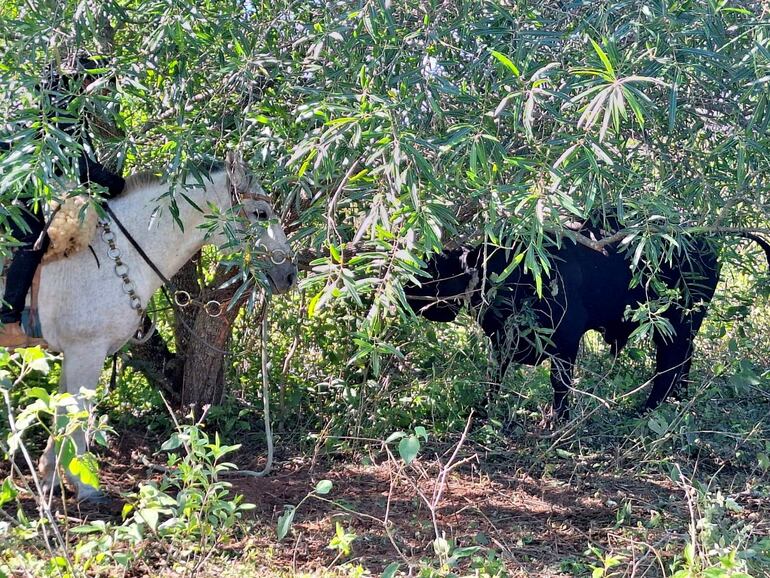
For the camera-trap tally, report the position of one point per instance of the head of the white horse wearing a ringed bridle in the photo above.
(250, 200)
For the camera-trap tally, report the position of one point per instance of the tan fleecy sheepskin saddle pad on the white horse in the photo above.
(72, 229)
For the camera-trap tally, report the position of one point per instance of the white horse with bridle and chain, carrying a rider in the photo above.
(83, 308)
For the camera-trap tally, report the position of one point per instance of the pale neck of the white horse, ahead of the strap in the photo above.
(146, 214)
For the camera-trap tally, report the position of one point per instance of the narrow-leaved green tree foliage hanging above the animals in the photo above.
(387, 129)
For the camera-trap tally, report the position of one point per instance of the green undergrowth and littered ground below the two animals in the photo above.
(682, 491)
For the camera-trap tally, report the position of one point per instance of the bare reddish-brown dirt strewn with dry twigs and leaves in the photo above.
(539, 519)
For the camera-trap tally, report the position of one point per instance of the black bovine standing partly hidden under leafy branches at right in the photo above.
(586, 289)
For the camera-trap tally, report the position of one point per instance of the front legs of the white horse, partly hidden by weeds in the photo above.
(81, 369)
